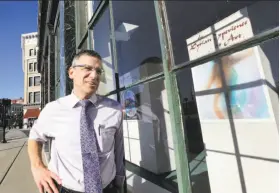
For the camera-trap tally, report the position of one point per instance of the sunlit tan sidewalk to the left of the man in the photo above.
(15, 173)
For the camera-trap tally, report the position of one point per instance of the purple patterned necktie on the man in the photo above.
(92, 177)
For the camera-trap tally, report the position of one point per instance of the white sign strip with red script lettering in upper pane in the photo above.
(227, 32)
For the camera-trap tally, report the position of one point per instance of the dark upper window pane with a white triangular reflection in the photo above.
(137, 40)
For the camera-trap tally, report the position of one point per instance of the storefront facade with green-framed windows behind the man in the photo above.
(198, 82)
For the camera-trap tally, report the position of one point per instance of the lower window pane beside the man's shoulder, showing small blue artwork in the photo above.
(148, 139)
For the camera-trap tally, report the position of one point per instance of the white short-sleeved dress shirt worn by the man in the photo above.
(60, 120)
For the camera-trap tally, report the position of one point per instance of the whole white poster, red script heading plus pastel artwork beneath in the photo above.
(240, 70)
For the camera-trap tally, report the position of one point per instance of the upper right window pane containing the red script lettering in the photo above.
(222, 24)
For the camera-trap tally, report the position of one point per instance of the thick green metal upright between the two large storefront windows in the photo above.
(173, 98)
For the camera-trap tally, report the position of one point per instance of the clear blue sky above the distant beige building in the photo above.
(16, 18)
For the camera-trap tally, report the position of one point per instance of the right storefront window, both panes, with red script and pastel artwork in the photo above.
(230, 103)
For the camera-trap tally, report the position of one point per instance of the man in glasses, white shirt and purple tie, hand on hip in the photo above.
(87, 147)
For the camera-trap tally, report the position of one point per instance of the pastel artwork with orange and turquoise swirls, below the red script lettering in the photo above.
(240, 68)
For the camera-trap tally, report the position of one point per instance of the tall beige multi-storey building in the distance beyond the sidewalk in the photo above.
(32, 79)
